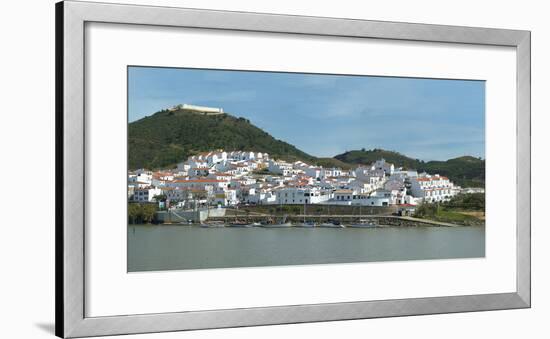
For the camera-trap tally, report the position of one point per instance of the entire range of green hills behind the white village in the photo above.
(168, 137)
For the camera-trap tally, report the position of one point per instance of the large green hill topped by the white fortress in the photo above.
(168, 137)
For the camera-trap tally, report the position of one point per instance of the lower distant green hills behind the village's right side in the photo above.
(465, 171)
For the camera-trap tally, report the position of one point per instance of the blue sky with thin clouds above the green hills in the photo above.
(325, 115)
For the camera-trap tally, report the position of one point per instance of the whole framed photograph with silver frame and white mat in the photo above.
(221, 169)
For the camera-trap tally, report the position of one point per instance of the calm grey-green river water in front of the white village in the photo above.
(171, 247)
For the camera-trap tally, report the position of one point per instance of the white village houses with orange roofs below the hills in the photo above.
(232, 178)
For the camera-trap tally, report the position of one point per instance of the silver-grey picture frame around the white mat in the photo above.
(71, 171)
